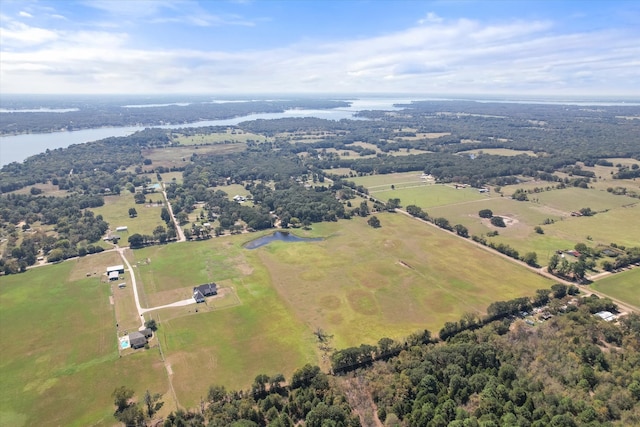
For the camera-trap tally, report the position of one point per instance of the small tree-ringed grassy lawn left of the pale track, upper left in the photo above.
(116, 212)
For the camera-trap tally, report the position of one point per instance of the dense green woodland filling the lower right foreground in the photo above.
(573, 369)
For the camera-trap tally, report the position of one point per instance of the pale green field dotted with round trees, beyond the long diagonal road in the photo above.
(610, 225)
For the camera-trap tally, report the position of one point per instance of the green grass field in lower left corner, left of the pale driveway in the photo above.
(59, 361)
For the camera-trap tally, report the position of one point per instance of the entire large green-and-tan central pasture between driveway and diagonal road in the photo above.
(416, 277)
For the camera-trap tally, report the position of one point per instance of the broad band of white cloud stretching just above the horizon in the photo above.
(464, 56)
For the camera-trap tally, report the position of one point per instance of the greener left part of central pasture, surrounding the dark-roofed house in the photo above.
(256, 332)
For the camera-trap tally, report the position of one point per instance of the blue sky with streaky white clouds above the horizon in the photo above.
(542, 47)
